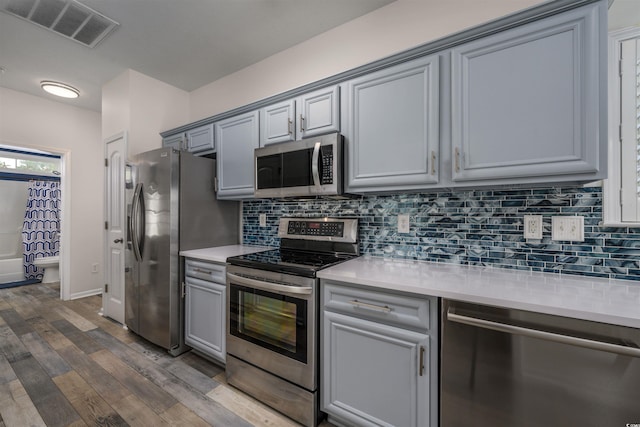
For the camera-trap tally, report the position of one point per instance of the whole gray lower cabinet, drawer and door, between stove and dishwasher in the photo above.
(379, 357)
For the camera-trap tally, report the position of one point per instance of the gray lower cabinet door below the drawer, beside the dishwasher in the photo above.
(371, 374)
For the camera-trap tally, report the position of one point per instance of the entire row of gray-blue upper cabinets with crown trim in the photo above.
(520, 100)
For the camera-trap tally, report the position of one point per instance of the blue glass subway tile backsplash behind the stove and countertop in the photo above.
(475, 227)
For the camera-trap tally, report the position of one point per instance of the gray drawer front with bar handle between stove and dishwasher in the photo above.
(377, 305)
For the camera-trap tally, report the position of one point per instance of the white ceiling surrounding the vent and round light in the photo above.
(186, 43)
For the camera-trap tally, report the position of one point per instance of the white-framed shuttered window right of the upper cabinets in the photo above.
(622, 188)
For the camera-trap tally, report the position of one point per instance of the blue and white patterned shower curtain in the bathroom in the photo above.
(41, 225)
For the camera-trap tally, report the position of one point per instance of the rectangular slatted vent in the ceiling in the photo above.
(67, 18)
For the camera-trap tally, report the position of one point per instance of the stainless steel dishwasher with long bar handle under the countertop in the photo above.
(502, 367)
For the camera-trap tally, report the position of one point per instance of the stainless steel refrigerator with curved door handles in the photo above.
(171, 206)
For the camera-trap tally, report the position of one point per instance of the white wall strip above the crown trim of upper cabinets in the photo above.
(394, 28)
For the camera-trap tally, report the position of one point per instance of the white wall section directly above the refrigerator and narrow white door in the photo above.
(143, 107)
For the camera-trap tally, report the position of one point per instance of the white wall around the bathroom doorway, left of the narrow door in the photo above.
(30, 121)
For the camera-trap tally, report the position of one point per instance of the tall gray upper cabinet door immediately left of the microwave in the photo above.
(237, 139)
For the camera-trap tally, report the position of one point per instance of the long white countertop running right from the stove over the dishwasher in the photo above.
(602, 300)
